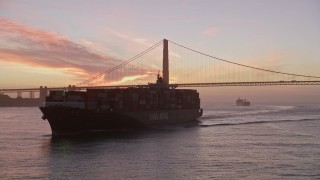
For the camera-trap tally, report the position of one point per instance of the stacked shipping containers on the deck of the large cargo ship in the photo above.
(131, 99)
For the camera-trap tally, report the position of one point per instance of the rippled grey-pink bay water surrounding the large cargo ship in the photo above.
(257, 142)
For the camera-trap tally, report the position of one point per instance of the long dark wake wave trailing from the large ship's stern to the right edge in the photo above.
(256, 122)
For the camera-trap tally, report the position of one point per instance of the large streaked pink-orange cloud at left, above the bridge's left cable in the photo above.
(33, 47)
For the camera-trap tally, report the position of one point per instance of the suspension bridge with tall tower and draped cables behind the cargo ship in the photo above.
(187, 67)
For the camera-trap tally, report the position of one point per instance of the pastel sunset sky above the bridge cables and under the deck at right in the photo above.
(62, 42)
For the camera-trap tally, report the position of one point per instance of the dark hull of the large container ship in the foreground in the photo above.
(68, 121)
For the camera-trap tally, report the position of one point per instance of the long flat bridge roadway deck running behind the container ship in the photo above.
(213, 84)
